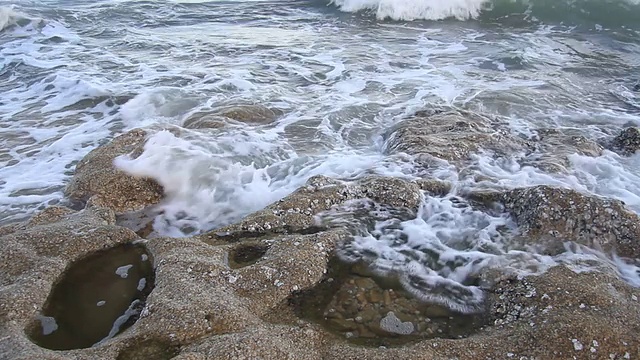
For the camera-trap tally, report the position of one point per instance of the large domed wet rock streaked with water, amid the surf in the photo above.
(451, 136)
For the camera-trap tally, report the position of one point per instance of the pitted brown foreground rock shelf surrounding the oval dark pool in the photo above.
(205, 306)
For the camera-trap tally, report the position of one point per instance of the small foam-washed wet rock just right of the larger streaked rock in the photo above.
(551, 151)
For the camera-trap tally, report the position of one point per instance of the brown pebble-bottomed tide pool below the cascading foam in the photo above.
(354, 304)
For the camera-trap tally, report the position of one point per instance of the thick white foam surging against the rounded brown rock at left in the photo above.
(210, 183)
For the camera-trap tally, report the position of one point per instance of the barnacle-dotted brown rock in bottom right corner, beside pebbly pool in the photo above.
(557, 315)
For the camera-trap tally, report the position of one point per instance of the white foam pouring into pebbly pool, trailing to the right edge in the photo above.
(437, 255)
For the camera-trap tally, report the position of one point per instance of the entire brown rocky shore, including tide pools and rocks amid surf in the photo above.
(273, 285)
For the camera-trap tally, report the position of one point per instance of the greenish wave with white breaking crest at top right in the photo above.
(620, 11)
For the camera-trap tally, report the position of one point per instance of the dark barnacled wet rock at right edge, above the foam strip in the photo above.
(550, 215)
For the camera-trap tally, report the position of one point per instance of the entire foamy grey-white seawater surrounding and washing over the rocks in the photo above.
(74, 74)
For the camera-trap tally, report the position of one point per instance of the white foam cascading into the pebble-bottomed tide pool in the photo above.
(433, 254)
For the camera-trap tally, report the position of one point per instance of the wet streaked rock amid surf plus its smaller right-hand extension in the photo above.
(456, 135)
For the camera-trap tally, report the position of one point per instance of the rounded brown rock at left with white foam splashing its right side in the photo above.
(97, 178)
